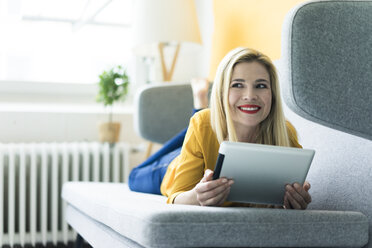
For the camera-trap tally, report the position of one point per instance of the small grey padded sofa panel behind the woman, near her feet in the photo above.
(163, 113)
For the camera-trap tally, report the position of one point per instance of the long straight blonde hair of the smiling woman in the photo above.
(273, 130)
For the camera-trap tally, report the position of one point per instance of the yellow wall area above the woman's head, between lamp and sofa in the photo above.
(251, 23)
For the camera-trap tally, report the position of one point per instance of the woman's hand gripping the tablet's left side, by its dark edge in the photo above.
(211, 192)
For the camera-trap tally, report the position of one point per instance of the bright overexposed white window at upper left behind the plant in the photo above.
(63, 41)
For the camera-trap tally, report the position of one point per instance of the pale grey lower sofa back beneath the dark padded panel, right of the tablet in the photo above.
(341, 172)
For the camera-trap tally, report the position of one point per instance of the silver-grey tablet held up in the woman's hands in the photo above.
(260, 172)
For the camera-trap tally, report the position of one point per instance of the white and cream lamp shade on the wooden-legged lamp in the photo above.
(165, 21)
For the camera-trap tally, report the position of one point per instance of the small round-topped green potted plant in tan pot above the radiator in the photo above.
(113, 87)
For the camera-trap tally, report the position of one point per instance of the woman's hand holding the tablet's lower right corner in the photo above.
(297, 196)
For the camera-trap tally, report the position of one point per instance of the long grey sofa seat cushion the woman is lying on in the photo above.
(150, 222)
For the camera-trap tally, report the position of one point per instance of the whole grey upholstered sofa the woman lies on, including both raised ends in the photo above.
(326, 78)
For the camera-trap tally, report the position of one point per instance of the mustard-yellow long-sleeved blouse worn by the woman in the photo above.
(199, 152)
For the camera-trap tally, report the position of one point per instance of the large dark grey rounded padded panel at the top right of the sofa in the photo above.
(327, 47)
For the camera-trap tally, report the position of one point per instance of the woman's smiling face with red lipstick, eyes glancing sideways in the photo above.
(249, 95)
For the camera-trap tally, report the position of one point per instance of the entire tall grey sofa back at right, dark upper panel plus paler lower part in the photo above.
(326, 77)
